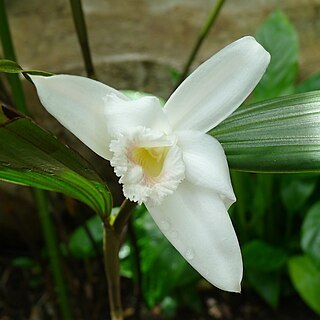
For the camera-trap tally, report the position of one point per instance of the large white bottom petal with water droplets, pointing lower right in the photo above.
(196, 222)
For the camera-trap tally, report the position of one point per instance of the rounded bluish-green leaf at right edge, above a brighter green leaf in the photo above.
(310, 238)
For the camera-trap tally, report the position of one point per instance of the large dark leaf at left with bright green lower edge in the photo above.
(33, 157)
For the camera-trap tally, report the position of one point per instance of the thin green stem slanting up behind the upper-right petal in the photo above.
(201, 37)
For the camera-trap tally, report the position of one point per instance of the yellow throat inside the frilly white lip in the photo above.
(150, 159)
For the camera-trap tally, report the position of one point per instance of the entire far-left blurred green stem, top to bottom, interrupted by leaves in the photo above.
(40, 197)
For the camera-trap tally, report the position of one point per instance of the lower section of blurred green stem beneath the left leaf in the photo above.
(53, 252)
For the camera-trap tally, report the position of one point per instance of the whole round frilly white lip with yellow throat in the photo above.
(149, 163)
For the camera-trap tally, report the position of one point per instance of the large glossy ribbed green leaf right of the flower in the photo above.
(278, 135)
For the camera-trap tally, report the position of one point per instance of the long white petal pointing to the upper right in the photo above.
(218, 87)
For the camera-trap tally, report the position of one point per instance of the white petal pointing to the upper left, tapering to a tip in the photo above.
(78, 103)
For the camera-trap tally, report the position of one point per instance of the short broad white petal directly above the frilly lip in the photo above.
(146, 112)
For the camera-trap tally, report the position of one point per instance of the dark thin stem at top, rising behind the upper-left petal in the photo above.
(81, 29)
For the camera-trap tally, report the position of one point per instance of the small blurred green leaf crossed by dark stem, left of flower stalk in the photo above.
(80, 245)
